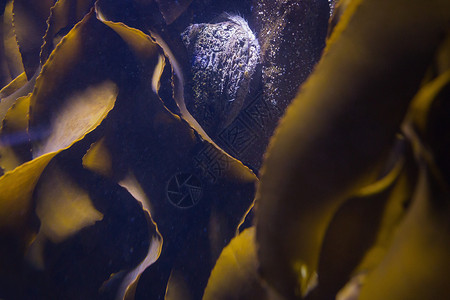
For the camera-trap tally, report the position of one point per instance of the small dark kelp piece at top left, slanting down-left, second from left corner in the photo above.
(63, 16)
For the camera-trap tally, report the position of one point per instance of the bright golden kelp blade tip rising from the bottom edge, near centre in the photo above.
(235, 275)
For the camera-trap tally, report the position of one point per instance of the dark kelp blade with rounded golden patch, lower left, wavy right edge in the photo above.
(113, 245)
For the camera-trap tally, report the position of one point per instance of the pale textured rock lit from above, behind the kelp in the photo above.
(224, 56)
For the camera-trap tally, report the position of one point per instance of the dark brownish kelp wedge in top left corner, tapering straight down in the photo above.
(29, 21)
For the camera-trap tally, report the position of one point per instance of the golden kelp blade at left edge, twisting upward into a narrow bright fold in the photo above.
(18, 223)
